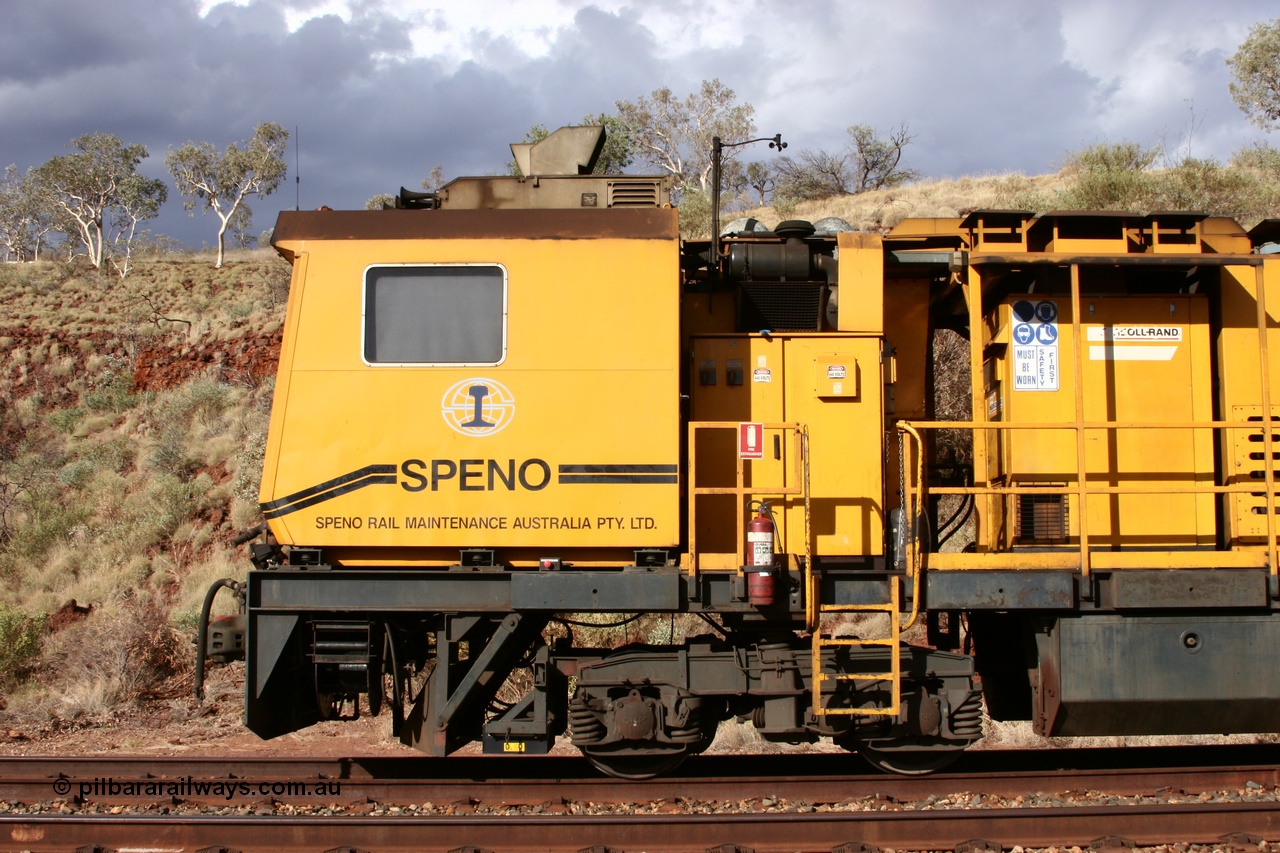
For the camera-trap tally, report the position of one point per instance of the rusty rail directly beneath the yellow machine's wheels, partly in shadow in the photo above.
(504, 782)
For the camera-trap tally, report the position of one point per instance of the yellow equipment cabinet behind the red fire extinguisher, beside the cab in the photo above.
(831, 385)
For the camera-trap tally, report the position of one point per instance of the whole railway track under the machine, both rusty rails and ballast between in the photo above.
(994, 801)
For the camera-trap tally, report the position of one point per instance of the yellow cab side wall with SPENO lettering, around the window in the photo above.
(587, 408)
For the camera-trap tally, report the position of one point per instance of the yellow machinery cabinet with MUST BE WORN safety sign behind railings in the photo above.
(1130, 377)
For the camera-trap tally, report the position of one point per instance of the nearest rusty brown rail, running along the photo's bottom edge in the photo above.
(934, 831)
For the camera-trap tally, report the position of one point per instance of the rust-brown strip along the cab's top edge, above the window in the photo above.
(476, 225)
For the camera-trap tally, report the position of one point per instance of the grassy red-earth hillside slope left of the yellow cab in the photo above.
(132, 421)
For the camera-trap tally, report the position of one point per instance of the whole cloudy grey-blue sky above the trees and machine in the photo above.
(381, 92)
